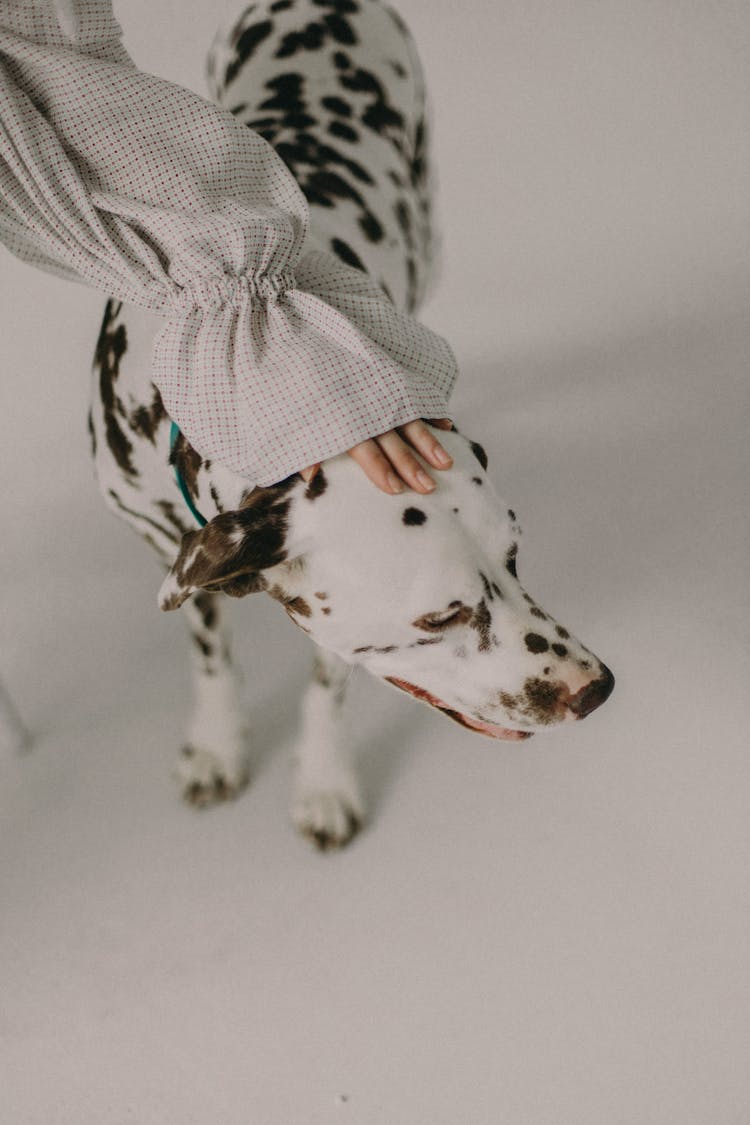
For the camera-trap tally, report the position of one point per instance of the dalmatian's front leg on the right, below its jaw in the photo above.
(327, 805)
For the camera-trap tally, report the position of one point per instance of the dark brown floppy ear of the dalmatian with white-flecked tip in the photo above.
(232, 552)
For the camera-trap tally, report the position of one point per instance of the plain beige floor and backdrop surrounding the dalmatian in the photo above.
(554, 935)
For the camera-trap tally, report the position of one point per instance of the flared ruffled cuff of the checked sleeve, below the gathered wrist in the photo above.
(269, 374)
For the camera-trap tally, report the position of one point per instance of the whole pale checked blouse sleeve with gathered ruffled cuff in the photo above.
(268, 359)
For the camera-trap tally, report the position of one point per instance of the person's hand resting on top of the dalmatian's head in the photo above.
(390, 463)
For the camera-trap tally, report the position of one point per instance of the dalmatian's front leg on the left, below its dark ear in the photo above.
(213, 764)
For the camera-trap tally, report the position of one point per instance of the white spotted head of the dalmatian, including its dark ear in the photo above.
(421, 590)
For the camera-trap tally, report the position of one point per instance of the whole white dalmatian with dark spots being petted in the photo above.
(420, 590)
